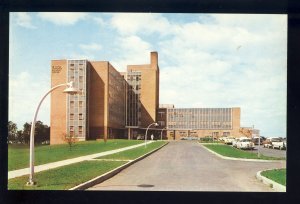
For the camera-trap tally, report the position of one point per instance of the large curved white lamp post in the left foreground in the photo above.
(69, 90)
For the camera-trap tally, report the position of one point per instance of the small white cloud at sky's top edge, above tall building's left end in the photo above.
(62, 18)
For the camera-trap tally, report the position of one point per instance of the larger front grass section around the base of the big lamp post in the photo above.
(66, 177)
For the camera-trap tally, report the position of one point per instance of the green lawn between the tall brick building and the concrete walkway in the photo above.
(18, 155)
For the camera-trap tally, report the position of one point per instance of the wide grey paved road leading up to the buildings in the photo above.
(187, 166)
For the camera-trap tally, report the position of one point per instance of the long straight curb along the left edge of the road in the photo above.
(111, 173)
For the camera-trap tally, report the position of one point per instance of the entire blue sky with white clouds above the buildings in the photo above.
(205, 60)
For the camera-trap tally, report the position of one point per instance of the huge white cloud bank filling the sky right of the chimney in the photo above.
(229, 63)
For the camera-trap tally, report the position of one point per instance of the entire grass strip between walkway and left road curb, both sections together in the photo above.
(66, 177)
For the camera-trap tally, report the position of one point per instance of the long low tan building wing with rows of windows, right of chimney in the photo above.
(199, 122)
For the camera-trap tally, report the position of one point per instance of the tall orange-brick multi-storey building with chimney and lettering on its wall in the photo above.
(110, 104)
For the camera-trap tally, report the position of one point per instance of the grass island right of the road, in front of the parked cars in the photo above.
(229, 151)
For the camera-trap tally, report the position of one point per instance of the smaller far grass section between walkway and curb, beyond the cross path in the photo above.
(134, 153)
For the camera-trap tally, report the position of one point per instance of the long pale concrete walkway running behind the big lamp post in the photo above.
(43, 167)
